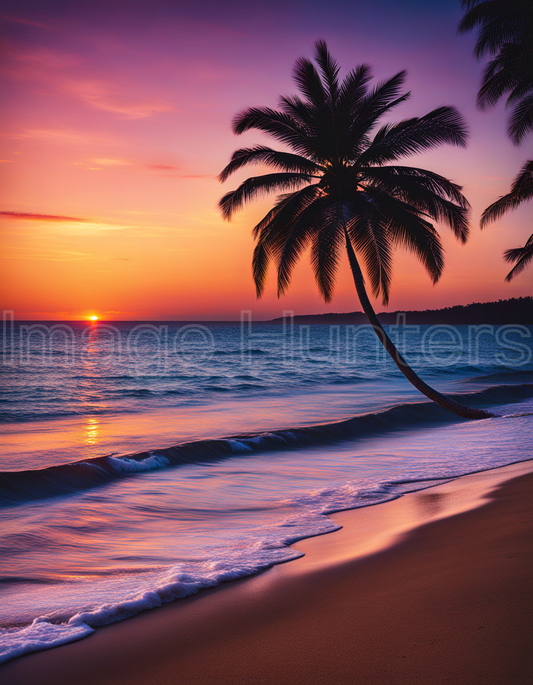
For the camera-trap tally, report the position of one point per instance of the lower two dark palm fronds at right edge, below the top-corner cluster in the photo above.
(521, 190)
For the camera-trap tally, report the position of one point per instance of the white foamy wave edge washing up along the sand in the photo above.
(183, 579)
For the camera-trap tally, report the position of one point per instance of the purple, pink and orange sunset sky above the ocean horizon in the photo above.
(116, 120)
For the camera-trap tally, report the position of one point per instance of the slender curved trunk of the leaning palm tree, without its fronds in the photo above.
(424, 388)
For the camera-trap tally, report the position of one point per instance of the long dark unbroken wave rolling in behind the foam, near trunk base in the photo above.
(23, 486)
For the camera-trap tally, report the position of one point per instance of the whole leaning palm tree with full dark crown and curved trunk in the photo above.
(341, 192)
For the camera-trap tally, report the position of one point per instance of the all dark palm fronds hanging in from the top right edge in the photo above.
(506, 34)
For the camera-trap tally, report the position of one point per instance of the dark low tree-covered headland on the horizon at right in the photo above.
(517, 310)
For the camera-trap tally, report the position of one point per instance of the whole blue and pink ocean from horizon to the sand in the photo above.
(142, 462)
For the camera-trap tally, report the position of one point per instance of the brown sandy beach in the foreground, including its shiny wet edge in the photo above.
(434, 587)
